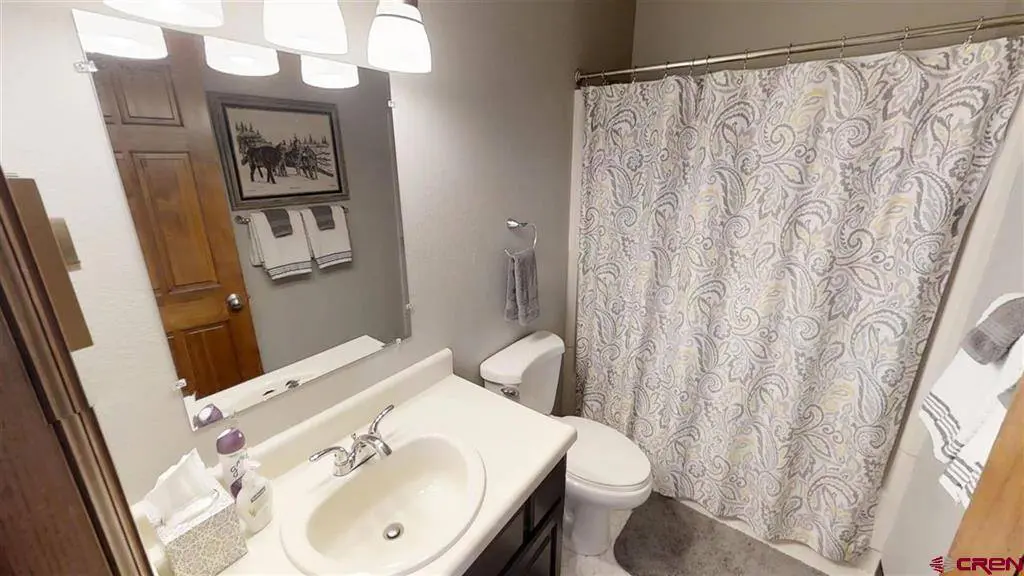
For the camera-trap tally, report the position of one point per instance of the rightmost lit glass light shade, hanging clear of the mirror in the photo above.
(398, 39)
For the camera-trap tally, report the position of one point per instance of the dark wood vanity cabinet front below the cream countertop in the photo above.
(531, 545)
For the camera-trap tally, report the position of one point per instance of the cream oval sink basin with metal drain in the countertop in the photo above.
(392, 516)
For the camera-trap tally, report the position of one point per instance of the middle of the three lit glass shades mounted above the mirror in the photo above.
(310, 26)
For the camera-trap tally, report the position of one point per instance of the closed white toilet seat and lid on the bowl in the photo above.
(604, 460)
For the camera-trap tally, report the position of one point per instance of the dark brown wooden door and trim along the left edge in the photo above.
(62, 511)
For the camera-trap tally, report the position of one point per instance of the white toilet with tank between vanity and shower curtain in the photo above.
(605, 471)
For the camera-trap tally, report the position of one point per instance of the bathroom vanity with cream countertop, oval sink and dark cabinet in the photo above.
(475, 485)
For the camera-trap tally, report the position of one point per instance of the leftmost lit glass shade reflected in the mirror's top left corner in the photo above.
(106, 35)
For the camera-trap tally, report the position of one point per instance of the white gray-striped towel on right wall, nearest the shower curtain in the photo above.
(967, 393)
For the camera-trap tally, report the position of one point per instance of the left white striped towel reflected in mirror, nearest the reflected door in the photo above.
(281, 258)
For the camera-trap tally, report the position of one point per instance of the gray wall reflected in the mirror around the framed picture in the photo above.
(302, 316)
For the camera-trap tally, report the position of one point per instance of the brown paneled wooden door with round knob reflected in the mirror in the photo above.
(157, 117)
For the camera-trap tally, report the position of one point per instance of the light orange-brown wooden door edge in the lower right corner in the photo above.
(994, 524)
